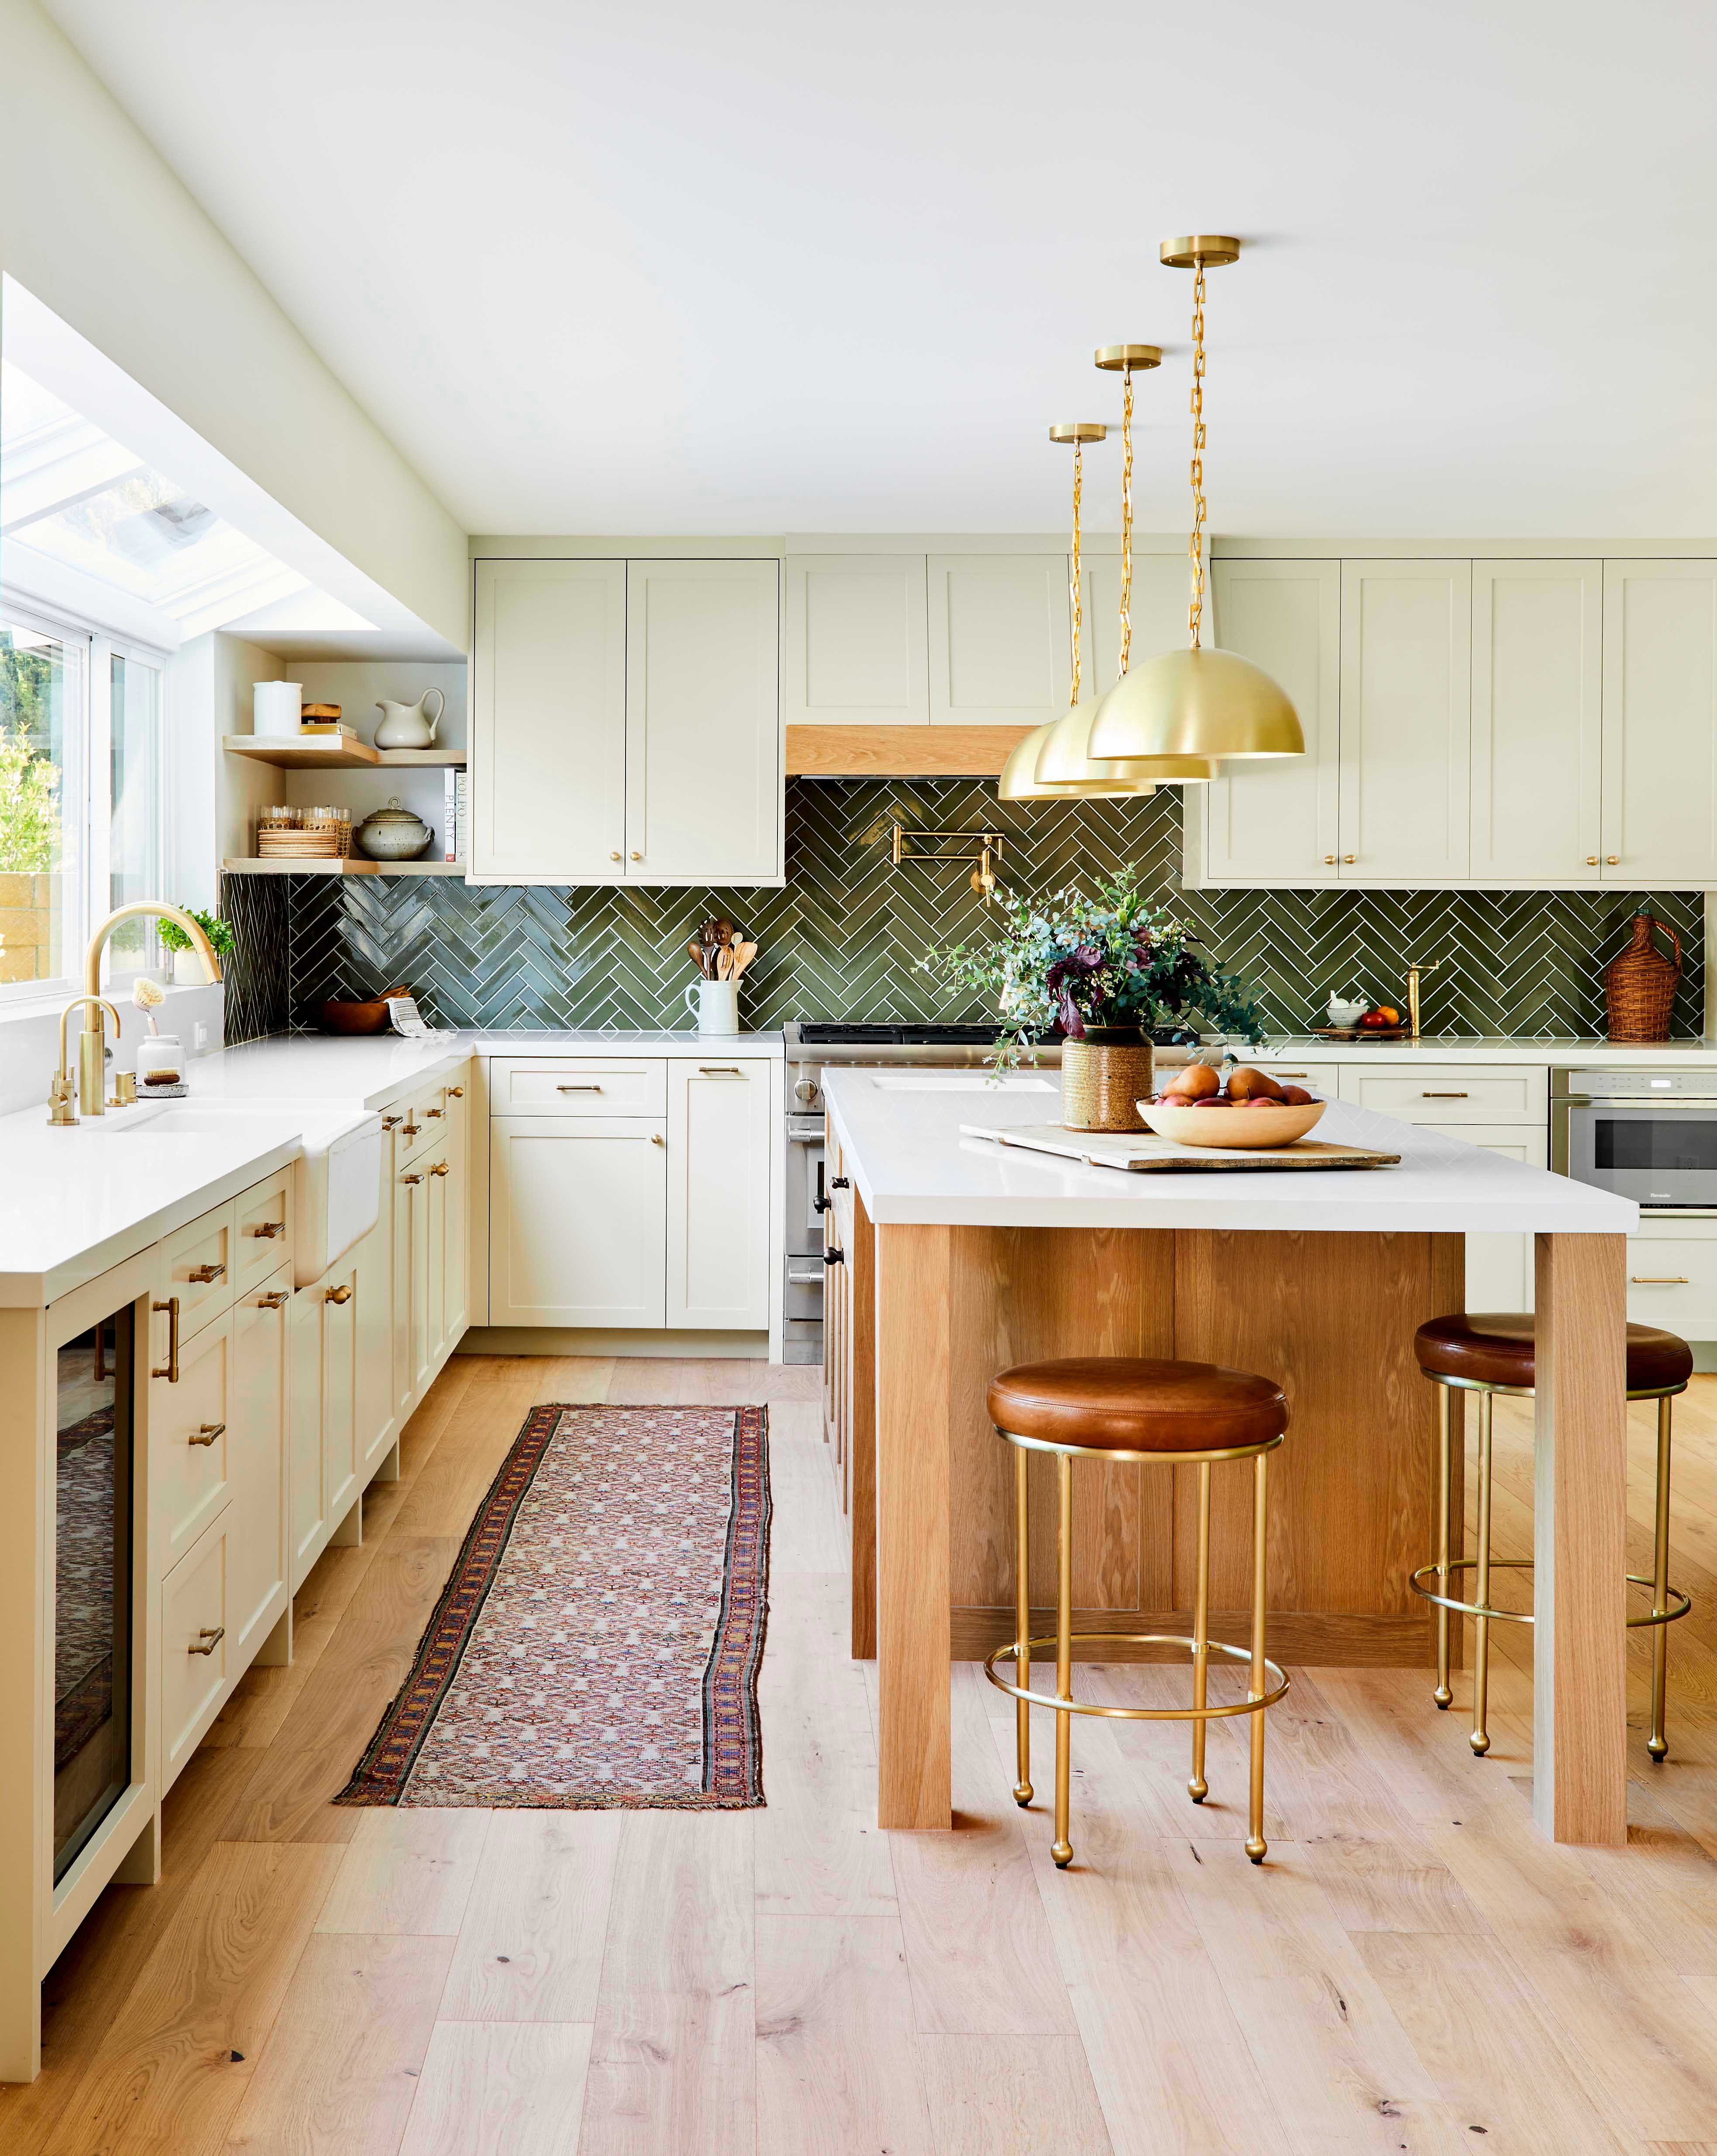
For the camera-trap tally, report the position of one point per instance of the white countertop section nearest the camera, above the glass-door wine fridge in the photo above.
(81, 1200)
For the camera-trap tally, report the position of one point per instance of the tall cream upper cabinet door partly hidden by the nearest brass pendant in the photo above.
(1274, 823)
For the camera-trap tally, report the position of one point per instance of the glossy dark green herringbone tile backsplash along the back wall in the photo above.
(844, 937)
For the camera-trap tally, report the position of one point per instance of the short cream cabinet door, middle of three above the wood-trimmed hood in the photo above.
(1000, 639)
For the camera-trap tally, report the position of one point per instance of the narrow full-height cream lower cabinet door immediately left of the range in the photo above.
(719, 1193)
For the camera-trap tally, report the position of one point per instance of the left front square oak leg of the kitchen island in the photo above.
(914, 1633)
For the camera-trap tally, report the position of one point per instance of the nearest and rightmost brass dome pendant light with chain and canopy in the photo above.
(1196, 704)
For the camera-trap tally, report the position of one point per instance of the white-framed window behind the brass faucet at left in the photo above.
(81, 799)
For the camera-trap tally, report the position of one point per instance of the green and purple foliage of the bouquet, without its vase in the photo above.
(1093, 960)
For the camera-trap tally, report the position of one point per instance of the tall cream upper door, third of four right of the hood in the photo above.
(1537, 721)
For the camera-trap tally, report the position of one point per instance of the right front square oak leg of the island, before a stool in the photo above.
(1580, 1599)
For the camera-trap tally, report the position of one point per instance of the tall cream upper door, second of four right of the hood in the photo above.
(1405, 721)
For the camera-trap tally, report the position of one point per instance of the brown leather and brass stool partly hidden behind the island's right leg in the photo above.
(1492, 1355)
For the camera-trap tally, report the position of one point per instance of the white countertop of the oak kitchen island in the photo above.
(903, 1144)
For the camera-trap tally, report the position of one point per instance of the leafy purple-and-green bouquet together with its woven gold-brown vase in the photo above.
(1101, 967)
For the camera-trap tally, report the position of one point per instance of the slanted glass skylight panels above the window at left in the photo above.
(72, 499)
